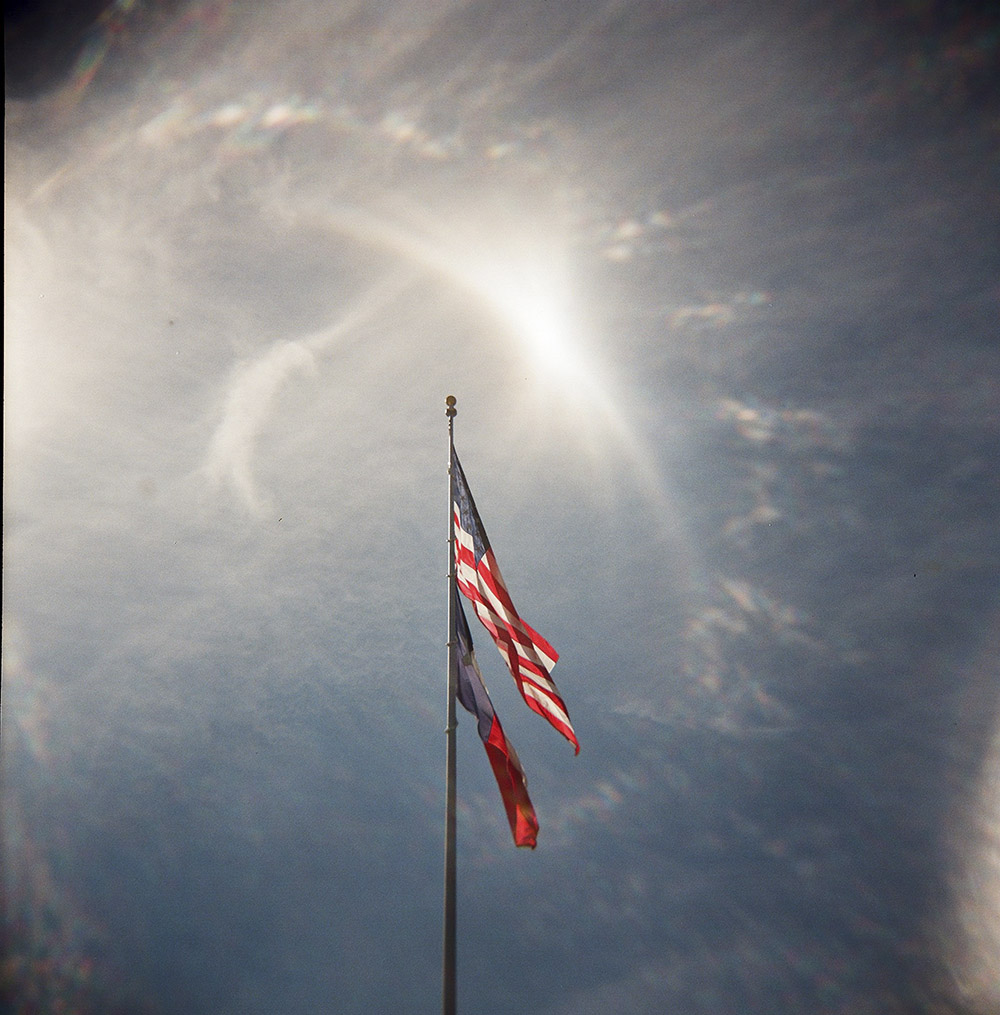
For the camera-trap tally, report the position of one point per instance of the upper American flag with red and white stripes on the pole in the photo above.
(528, 656)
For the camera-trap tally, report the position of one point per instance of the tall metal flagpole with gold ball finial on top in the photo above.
(448, 973)
